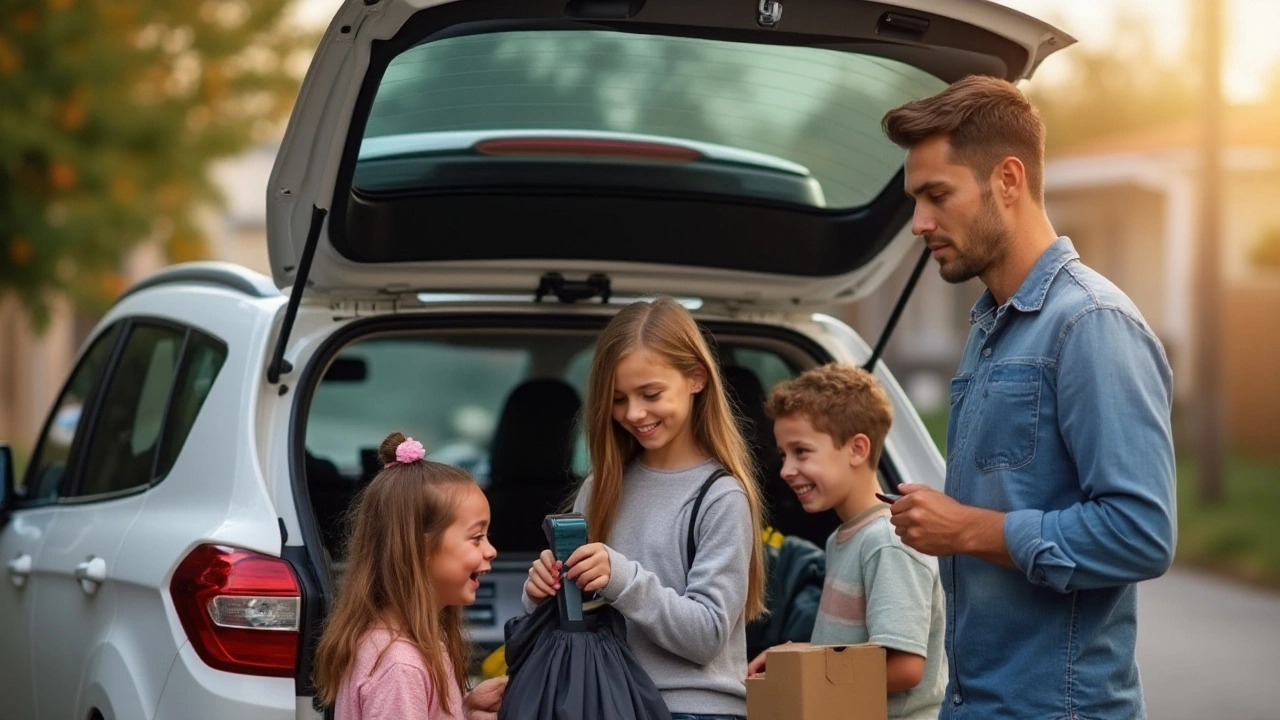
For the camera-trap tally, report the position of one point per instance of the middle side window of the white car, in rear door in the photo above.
(122, 450)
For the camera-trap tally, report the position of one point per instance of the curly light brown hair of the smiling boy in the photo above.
(838, 400)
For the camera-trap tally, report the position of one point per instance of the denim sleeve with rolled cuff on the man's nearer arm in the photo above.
(1114, 390)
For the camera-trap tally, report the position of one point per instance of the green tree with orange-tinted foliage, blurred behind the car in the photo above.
(112, 113)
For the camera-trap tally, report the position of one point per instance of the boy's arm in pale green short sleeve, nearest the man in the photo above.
(899, 612)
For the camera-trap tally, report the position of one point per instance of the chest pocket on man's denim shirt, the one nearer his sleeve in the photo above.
(1011, 416)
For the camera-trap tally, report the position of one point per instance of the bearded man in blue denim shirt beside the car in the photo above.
(1060, 462)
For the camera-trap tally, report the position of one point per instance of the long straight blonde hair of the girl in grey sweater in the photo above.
(668, 330)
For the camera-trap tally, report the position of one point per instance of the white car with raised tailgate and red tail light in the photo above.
(467, 192)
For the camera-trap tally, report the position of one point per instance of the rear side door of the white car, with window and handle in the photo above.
(99, 499)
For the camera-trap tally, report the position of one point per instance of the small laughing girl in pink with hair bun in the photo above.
(394, 645)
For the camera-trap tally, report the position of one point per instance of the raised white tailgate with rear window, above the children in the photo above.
(670, 147)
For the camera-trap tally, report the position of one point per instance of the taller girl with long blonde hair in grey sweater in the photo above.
(657, 427)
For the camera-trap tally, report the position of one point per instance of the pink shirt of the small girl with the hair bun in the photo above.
(400, 687)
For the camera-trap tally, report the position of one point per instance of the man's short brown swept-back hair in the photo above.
(986, 120)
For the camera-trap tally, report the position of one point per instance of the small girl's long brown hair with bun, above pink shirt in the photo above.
(395, 526)
